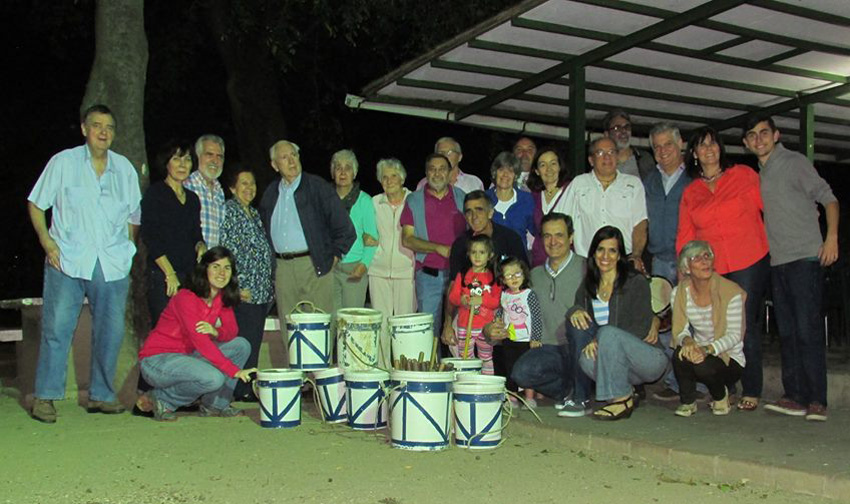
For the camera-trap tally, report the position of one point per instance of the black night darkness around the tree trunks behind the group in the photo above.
(48, 49)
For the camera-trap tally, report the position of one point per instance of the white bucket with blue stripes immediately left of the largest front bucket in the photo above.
(367, 407)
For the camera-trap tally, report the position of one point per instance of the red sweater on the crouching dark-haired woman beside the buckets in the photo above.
(175, 332)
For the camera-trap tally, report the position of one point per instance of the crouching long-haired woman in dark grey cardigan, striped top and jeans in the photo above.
(613, 326)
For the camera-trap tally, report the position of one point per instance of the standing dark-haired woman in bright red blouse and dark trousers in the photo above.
(723, 207)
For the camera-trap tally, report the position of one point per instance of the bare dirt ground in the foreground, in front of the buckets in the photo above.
(100, 459)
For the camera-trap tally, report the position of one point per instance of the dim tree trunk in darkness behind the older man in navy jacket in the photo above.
(255, 103)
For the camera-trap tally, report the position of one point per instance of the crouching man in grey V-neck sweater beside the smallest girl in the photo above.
(547, 369)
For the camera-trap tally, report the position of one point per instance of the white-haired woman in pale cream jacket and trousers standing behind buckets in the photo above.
(391, 272)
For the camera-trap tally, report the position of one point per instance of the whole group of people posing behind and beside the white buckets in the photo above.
(543, 278)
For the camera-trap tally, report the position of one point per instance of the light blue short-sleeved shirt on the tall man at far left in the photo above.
(90, 214)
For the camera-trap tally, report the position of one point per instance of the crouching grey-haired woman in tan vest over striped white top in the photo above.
(708, 330)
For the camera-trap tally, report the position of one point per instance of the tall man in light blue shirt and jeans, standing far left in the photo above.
(94, 197)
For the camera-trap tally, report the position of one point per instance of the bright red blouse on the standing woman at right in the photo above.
(729, 219)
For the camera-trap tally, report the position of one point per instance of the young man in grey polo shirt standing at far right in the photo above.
(790, 189)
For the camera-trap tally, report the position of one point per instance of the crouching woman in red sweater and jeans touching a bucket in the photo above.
(194, 350)
